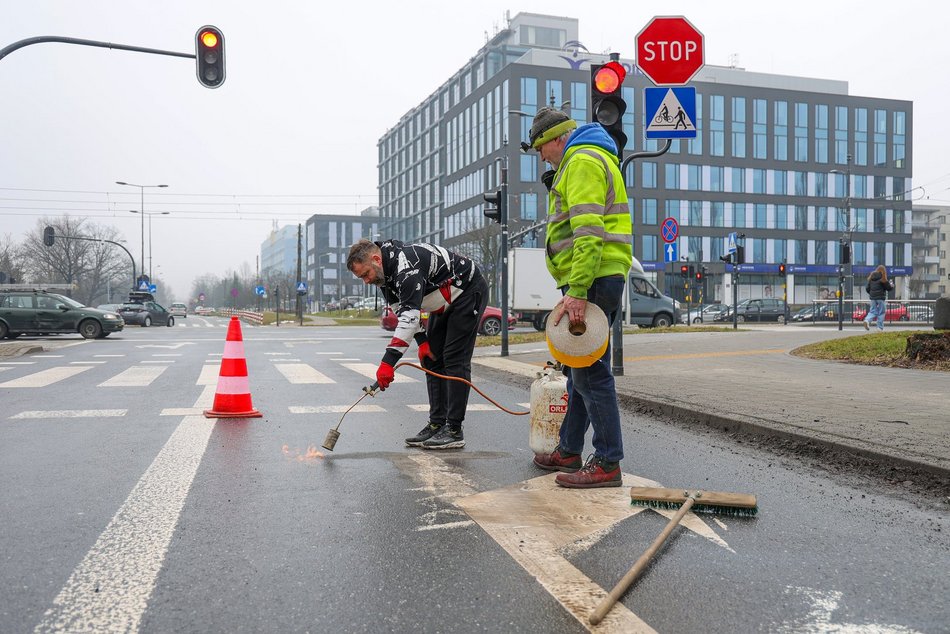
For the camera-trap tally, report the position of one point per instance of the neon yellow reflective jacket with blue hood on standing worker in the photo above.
(589, 233)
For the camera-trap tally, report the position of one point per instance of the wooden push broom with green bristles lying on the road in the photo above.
(736, 504)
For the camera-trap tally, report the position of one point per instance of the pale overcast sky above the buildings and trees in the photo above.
(311, 86)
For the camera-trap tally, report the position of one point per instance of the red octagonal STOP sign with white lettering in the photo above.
(670, 50)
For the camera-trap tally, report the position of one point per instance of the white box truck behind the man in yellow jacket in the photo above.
(531, 292)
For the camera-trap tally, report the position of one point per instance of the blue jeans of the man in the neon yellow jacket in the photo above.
(591, 393)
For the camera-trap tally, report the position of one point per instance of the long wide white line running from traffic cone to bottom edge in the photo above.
(110, 588)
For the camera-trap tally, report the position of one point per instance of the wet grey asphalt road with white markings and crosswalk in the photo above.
(125, 509)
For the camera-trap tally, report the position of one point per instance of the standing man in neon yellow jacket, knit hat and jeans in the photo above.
(588, 252)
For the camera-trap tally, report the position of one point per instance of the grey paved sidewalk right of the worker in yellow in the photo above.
(748, 381)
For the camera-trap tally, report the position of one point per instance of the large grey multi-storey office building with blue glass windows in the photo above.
(773, 159)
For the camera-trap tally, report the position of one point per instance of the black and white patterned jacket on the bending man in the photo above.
(420, 277)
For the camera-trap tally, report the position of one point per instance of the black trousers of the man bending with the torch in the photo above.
(451, 338)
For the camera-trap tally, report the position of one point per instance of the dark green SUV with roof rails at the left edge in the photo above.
(39, 312)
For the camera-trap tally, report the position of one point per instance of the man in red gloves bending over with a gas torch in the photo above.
(450, 287)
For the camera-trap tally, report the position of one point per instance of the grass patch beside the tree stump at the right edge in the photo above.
(883, 349)
